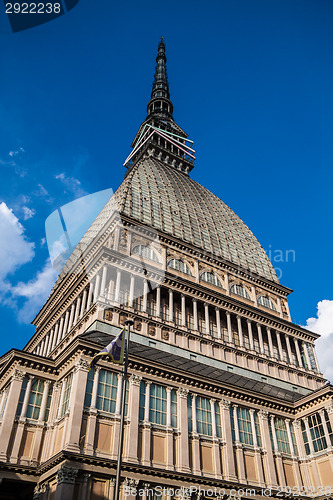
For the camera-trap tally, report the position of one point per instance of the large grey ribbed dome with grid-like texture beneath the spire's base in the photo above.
(164, 198)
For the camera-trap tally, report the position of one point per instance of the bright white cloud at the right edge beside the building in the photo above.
(323, 324)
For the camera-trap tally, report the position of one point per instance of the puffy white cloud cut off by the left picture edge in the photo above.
(15, 248)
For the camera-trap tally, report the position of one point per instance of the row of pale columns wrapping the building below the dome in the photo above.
(118, 287)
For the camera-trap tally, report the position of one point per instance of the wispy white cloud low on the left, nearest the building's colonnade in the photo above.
(35, 292)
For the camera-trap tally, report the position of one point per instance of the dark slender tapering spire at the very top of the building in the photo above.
(160, 103)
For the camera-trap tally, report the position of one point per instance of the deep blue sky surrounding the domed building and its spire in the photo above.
(251, 83)
